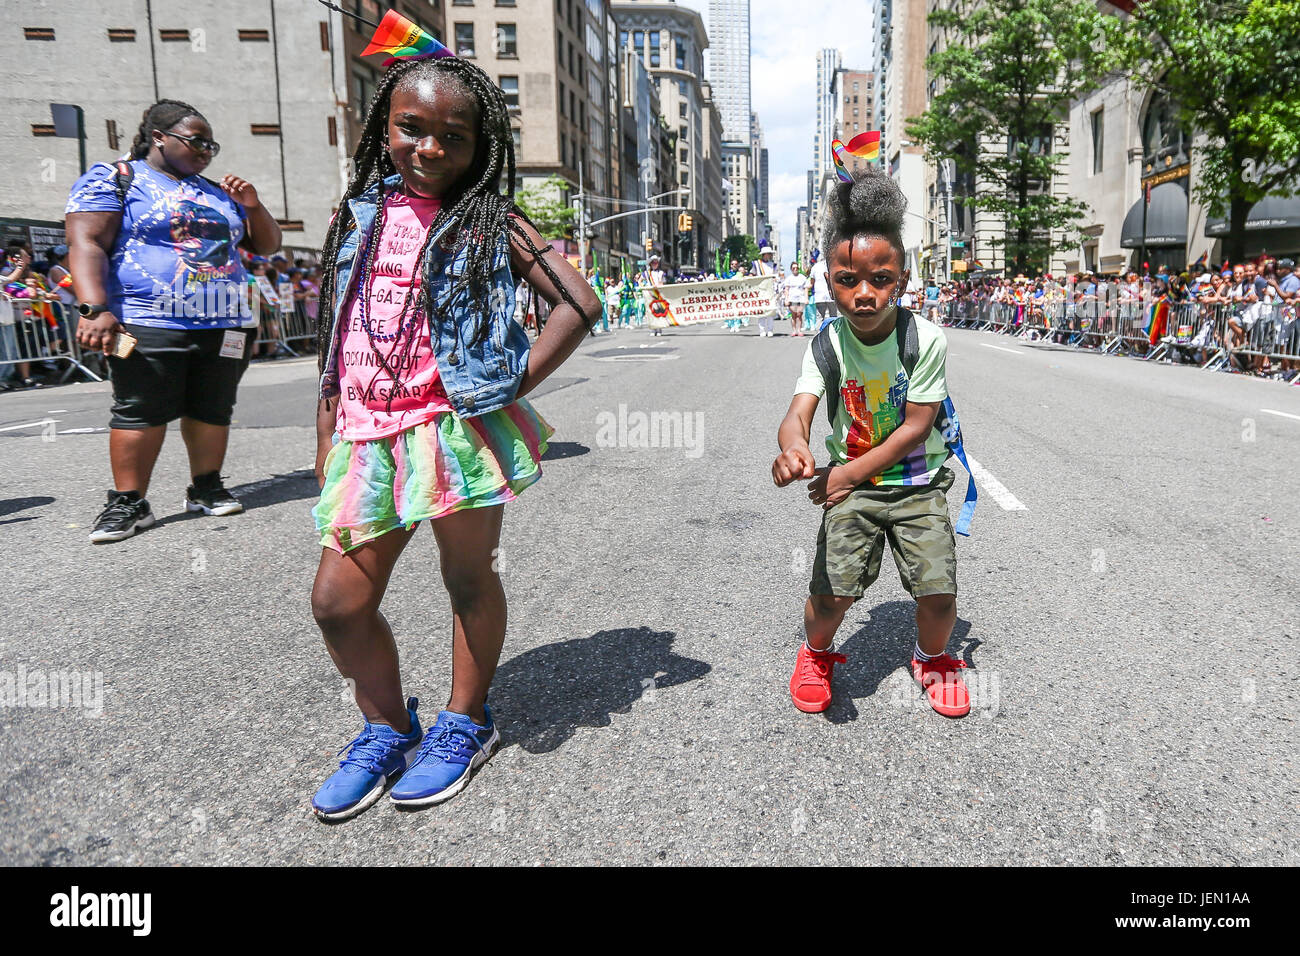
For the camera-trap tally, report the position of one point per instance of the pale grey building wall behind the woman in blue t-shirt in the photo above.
(283, 86)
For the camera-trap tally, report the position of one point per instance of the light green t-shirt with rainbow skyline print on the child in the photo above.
(874, 393)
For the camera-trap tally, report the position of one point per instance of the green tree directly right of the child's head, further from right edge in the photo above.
(1007, 80)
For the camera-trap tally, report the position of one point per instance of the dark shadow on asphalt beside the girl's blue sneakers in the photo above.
(545, 695)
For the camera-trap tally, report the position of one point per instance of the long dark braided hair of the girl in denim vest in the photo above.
(474, 213)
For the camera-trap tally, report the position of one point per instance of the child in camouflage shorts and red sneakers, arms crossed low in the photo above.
(886, 481)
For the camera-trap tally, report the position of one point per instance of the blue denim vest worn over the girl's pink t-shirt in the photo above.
(478, 377)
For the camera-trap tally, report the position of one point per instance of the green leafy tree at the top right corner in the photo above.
(1232, 68)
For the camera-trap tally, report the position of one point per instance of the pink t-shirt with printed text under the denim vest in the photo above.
(363, 413)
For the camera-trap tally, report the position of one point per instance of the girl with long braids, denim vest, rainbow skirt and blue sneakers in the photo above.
(422, 413)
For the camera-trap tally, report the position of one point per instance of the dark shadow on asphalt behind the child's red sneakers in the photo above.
(879, 648)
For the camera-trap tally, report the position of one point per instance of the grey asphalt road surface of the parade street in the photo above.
(1130, 629)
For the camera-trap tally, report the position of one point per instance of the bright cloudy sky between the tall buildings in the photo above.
(785, 42)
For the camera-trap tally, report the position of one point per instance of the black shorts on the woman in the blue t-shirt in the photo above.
(175, 374)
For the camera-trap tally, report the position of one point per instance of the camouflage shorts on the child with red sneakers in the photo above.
(916, 524)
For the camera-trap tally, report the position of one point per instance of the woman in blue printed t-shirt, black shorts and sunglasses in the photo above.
(154, 256)
